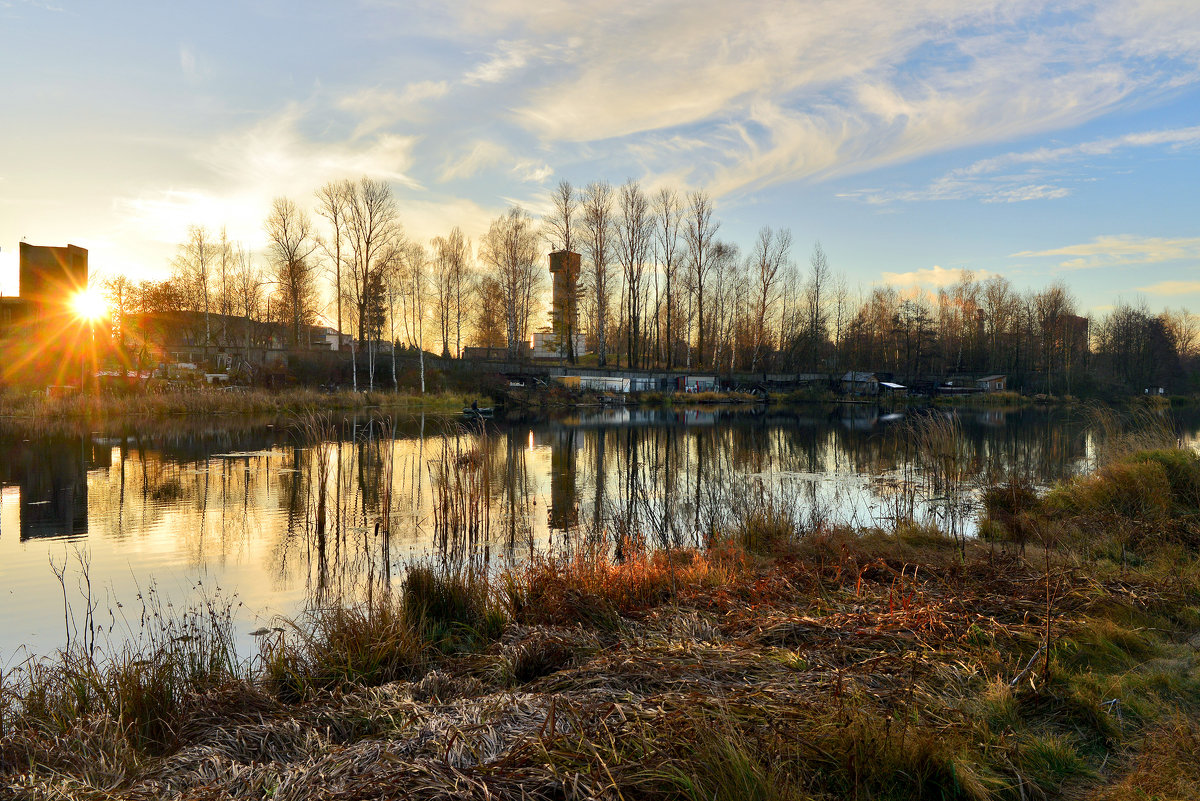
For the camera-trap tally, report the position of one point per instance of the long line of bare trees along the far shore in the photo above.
(659, 288)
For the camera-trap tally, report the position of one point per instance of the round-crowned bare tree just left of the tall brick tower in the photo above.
(511, 250)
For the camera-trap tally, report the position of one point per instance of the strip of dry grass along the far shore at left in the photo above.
(38, 407)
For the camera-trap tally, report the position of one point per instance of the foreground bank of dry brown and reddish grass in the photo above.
(1055, 659)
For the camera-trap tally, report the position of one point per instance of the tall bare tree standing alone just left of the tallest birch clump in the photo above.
(291, 248)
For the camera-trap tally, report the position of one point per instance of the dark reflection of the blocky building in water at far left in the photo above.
(52, 477)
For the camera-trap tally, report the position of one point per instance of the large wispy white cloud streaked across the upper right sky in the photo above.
(781, 92)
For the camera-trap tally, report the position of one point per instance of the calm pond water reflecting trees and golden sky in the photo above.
(231, 508)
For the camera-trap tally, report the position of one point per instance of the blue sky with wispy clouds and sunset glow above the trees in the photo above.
(1037, 141)
